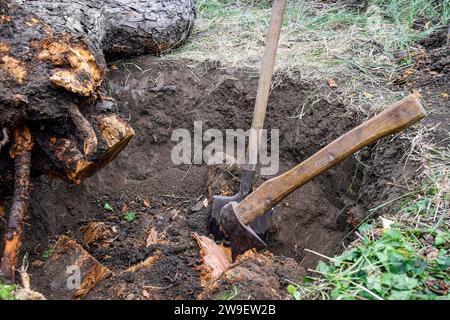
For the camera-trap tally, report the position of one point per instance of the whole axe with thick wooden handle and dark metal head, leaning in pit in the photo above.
(236, 218)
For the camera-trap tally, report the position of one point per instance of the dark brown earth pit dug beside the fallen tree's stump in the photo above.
(153, 207)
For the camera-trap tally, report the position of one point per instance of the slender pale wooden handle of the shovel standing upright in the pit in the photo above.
(265, 81)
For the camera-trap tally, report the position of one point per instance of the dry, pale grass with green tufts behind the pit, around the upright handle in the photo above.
(319, 41)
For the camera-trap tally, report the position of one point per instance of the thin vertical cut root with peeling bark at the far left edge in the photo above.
(21, 152)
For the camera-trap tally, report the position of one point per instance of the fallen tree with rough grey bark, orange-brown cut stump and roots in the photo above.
(52, 65)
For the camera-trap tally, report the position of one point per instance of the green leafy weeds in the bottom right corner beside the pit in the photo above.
(389, 264)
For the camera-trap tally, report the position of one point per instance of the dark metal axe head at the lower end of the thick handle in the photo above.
(242, 237)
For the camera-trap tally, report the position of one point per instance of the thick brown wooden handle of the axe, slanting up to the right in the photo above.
(394, 119)
